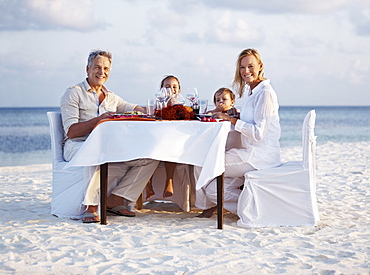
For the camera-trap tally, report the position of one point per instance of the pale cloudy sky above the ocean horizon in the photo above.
(315, 52)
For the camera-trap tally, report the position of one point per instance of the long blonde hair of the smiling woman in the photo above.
(238, 82)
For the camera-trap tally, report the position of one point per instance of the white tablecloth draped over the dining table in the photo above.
(191, 142)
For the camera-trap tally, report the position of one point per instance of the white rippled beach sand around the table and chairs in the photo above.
(172, 242)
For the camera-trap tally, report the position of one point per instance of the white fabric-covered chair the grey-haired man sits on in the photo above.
(67, 184)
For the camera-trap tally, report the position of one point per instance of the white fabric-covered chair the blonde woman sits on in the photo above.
(283, 195)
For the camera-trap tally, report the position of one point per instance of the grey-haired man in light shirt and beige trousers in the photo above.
(82, 107)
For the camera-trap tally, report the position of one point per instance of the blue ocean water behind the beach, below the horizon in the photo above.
(25, 138)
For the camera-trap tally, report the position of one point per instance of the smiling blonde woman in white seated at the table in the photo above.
(259, 128)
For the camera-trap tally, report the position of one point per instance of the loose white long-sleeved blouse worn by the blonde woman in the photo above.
(260, 128)
